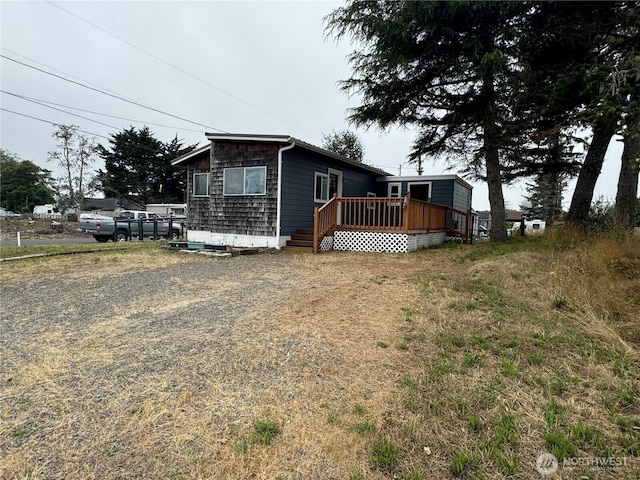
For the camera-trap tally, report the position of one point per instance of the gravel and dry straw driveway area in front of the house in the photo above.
(152, 371)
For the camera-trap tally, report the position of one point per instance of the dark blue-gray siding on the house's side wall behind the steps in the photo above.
(298, 176)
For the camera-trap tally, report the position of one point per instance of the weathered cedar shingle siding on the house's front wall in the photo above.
(237, 214)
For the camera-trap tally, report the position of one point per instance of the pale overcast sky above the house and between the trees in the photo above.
(241, 67)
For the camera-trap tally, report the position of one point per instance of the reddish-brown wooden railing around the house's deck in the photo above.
(393, 214)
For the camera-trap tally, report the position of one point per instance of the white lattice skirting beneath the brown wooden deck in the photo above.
(385, 241)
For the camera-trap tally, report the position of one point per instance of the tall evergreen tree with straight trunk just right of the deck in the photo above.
(446, 68)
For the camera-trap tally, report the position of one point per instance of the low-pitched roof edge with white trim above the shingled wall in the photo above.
(284, 139)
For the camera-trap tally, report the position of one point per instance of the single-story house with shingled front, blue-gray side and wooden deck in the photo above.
(278, 191)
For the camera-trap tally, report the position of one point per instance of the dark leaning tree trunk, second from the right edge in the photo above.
(590, 171)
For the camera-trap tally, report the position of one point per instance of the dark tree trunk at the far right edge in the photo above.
(625, 209)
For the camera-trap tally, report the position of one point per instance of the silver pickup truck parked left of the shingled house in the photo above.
(128, 225)
